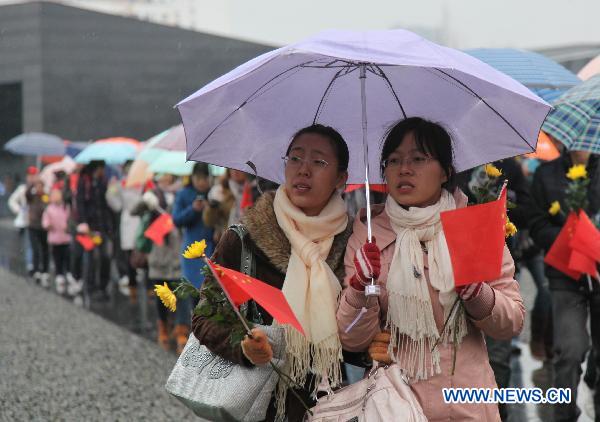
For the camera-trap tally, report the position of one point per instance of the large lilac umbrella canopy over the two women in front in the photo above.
(354, 81)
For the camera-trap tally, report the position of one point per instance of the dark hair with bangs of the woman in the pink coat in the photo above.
(430, 138)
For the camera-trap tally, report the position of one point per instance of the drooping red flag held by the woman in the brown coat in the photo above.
(242, 288)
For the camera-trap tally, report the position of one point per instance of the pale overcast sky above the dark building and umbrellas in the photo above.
(456, 23)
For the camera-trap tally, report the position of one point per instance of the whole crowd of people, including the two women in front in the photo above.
(301, 231)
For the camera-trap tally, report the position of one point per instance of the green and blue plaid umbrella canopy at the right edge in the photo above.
(575, 120)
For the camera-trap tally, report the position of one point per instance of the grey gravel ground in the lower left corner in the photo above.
(59, 362)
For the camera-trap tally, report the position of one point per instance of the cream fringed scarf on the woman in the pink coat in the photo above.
(410, 313)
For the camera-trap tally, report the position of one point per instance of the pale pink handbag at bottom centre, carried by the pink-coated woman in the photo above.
(384, 395)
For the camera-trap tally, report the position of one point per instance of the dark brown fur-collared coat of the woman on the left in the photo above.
(271, 255)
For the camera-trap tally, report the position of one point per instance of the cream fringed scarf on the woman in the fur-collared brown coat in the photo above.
(312, 290)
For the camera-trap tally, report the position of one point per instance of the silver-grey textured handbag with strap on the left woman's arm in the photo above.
(216, 389)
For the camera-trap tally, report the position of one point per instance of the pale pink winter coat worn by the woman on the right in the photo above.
(499, 310)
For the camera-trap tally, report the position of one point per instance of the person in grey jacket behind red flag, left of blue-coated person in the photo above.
(164, 264)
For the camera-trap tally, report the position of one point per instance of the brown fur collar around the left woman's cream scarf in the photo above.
(266, 234)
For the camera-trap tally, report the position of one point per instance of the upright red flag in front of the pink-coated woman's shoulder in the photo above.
(475, 238)
